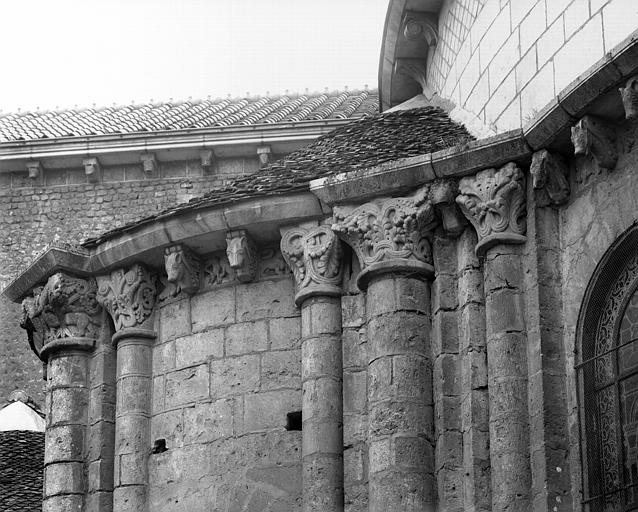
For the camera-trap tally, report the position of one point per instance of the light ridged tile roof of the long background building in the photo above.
(187, 114)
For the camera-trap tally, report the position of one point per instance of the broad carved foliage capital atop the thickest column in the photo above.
(389, 235)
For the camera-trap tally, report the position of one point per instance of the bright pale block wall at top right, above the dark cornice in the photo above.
(504, 60)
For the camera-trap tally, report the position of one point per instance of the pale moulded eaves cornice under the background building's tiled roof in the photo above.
(125, 148)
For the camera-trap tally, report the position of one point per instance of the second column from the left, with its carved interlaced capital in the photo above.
(129, 296)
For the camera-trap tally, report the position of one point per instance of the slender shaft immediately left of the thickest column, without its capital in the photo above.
(322, 376)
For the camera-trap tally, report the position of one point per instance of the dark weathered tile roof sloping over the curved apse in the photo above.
(364, 143)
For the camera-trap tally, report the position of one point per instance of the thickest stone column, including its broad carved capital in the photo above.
(395, 255)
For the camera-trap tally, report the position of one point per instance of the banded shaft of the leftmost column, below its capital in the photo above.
(67, 397)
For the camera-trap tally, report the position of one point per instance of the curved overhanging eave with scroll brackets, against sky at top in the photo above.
(404, 53)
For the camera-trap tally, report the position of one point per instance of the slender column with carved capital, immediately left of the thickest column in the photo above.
(314, 256)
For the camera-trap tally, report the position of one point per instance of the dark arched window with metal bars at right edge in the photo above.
(608, 381)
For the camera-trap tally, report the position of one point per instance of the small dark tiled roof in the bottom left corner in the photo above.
(21, 468)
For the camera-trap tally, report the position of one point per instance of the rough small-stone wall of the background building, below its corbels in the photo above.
(62, 205)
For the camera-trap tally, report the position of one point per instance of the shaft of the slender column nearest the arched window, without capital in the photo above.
(507, 379)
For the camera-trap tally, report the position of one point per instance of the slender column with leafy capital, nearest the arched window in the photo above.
(494, 202)
